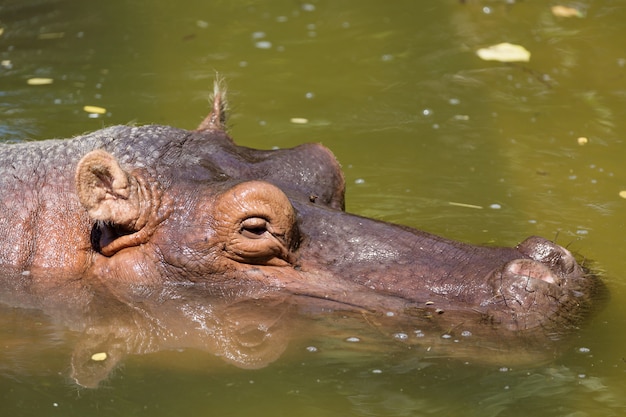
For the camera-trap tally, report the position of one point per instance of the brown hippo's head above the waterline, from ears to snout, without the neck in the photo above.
(200, 210)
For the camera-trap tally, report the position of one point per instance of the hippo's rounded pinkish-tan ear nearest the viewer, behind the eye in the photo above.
(107, 192)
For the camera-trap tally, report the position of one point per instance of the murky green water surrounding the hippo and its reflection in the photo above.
(417, 120)
